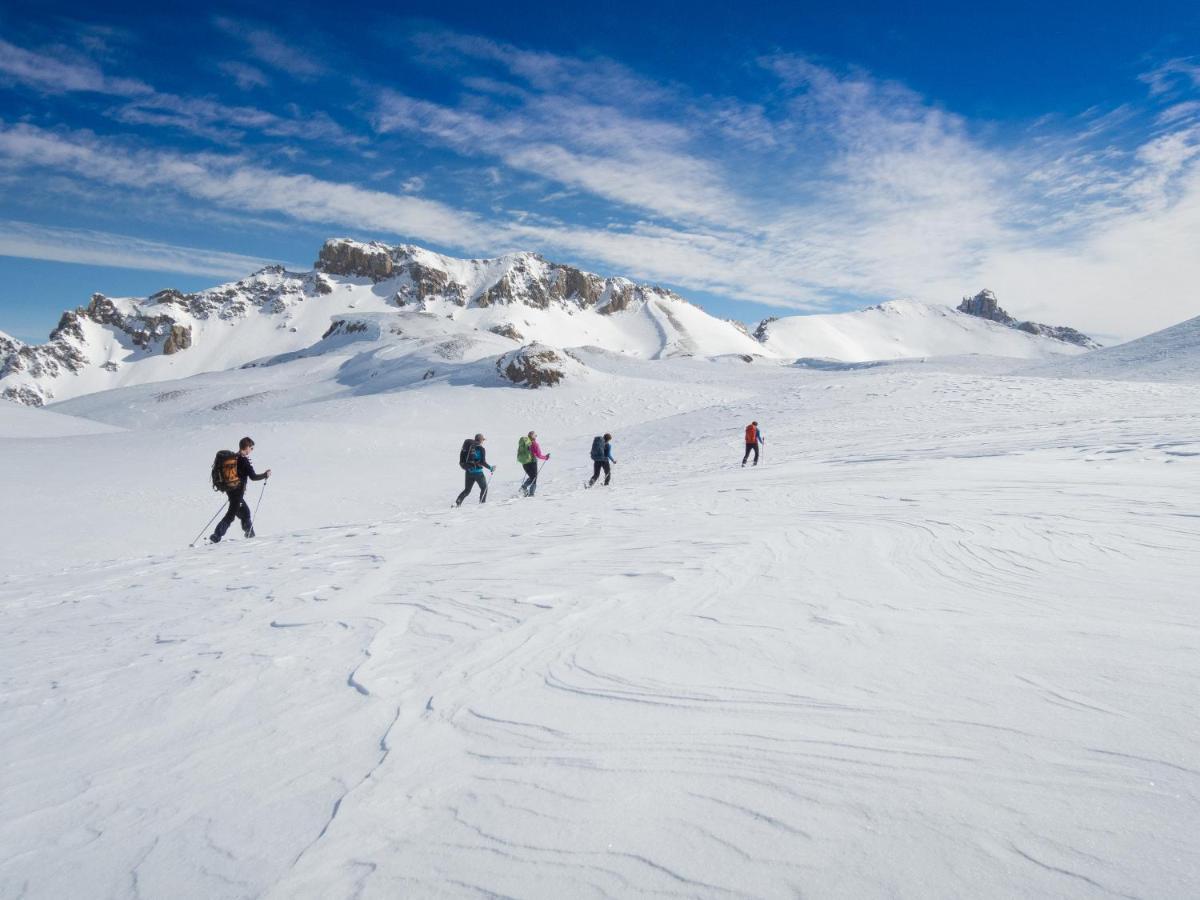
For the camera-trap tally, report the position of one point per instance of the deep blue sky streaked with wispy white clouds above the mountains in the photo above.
(760, 159)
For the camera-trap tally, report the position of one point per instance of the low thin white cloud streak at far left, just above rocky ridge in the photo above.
(92, 248)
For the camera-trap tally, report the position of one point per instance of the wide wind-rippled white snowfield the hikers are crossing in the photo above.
(941, 644)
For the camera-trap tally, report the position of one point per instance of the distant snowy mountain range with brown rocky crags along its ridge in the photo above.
(519, 314)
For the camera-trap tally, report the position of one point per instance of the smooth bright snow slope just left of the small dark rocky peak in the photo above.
(901, 329)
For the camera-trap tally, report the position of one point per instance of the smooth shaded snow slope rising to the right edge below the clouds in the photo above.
(1169, 356)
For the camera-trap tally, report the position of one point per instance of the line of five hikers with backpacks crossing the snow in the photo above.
(233, 472)
